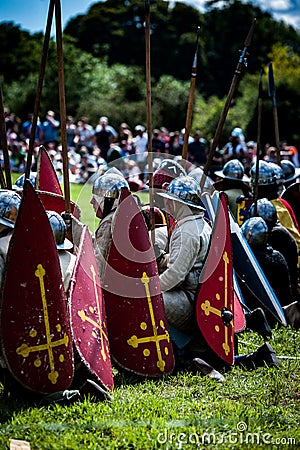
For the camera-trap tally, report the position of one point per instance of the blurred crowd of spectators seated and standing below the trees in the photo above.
(92, 148)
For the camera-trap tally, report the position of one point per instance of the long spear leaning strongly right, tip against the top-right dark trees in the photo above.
(237, 74)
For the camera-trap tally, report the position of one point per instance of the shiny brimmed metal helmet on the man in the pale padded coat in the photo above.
(184, 190)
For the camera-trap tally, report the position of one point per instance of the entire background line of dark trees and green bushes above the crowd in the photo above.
(104, 59)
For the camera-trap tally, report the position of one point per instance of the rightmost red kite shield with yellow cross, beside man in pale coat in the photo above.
(214, 307)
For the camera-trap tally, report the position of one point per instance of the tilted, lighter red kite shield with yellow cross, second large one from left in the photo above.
(88, 318)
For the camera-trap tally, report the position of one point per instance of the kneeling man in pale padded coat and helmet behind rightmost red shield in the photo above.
(188, 247)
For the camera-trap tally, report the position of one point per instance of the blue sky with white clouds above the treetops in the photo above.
(31, 15)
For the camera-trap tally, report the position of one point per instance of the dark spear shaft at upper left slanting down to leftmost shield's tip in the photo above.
(39, 88)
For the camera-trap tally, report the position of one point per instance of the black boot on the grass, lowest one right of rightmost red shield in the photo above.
(263, 356)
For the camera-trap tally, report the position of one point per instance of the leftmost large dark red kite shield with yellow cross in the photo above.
(35, 325)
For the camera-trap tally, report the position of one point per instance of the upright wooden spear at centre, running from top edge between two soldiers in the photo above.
(149, 117)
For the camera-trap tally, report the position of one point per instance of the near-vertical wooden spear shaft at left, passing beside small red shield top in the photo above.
(62, 105)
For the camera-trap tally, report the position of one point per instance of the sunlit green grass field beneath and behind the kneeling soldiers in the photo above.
(251, 410)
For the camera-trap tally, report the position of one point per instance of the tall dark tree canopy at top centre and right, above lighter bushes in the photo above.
(115, 30)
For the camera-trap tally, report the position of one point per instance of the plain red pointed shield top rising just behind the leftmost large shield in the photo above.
(46, 179)
